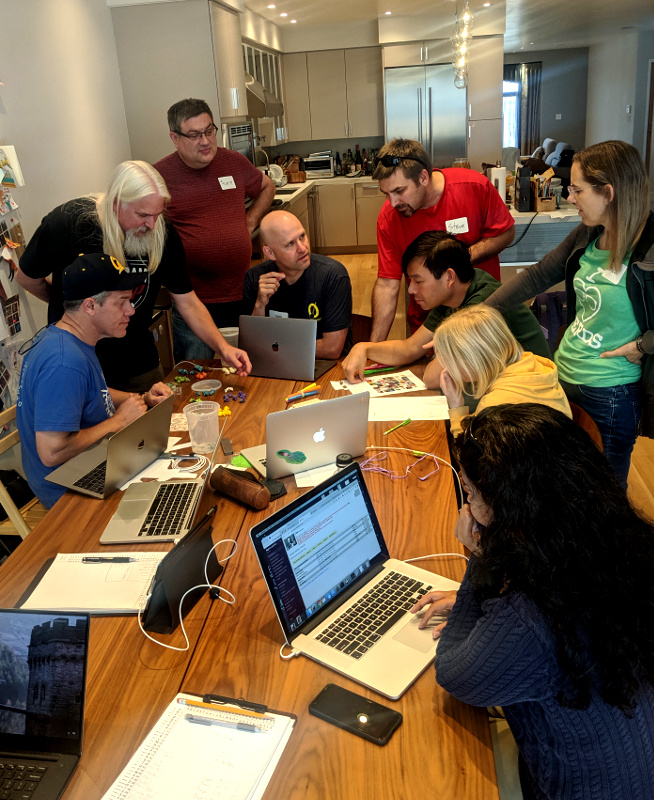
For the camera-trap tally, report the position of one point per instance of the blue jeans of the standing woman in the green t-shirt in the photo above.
(616, 412)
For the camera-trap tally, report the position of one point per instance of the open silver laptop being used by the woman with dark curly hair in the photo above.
(327, 567)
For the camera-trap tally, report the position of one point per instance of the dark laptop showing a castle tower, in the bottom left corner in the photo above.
(41, 719)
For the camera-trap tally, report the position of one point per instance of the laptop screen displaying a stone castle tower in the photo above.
(42, 680)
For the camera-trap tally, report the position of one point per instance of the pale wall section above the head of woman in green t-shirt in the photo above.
(611, 87)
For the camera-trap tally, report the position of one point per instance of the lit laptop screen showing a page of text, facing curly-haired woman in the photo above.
(316, 548)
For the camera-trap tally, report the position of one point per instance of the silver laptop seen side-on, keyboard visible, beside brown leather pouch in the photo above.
(158, 511)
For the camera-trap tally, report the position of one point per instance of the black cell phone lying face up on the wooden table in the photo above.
(355, 714)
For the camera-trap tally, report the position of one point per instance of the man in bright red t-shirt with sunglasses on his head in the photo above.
(459, 201)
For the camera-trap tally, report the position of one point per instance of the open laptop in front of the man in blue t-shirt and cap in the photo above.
(108, 464)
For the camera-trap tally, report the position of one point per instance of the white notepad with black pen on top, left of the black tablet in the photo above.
(106, 587)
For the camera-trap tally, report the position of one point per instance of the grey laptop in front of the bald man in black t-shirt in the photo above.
(280, 347)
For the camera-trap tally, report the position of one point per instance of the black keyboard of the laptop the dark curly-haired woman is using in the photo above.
(363, 625)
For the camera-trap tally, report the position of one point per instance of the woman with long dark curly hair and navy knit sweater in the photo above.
(554, 619)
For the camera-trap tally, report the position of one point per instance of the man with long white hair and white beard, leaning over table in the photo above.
(125, 222)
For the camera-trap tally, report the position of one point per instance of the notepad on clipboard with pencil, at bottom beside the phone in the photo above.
(180, 758)
